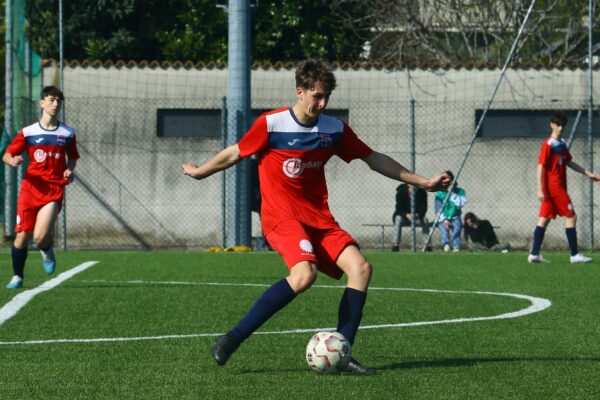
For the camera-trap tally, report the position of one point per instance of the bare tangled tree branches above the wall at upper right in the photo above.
(474, 31)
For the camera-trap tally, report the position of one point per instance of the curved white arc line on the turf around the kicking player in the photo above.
(538, 304)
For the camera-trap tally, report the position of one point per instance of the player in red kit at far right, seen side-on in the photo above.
(551, 180)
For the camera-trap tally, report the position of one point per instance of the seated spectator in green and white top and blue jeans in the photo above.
(450, 219)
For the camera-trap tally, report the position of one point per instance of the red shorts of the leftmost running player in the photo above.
(32, 197)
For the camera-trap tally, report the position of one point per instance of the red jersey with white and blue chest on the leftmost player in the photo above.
(47, 151)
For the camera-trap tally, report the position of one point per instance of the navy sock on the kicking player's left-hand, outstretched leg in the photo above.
(272, 300)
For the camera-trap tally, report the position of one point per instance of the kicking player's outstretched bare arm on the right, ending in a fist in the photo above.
(389, 167)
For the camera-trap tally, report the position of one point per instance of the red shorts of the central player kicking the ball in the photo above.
(296, 242)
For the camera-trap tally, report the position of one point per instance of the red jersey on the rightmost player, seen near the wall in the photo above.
(554, 157)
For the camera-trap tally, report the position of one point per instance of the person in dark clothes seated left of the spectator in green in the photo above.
(403, 215)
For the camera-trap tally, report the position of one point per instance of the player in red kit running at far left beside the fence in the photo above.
(52, 151)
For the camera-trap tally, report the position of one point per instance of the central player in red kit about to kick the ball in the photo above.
(293, 145)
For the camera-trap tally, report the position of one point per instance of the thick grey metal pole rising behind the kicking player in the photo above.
(239, 216)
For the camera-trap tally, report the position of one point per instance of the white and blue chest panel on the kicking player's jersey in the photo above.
(286, 133)
